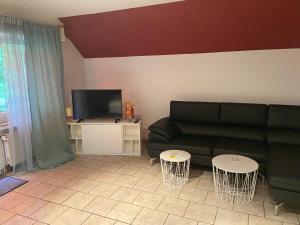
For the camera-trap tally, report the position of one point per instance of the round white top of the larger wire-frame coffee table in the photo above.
(235, 163)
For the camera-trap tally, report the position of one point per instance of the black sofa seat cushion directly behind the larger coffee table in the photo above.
(251, 149)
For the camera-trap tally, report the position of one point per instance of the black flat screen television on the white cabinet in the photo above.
(91, 104)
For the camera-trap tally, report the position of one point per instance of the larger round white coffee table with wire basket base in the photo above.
(234, 178)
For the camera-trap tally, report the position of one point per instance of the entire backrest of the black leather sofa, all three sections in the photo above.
(238, 120)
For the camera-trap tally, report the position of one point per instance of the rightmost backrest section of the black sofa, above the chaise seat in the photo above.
(283, 124)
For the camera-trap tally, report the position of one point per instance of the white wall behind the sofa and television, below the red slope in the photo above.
(266, 76)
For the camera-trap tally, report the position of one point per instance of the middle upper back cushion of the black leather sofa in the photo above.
(243, 114)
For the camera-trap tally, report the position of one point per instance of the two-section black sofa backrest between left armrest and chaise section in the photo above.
(226, 120)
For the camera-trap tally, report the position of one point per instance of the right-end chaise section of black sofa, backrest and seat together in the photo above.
(283, 162)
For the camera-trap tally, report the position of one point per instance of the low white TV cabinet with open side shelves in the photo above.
(102, 137)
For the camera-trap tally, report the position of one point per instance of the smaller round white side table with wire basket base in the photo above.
(175, 166)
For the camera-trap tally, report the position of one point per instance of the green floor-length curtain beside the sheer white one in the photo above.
(44, 65)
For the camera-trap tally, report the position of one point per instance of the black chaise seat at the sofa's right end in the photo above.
(283, 167)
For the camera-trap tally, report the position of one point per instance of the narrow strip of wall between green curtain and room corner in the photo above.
(74, 70)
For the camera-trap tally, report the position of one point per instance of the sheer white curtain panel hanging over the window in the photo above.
(16, 92)
